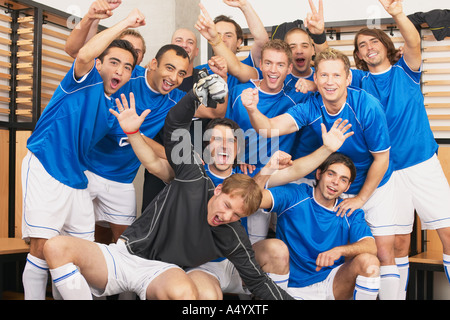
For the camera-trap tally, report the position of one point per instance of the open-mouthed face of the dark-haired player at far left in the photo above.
(115, 68)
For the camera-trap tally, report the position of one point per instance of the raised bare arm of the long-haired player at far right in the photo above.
(411, 48)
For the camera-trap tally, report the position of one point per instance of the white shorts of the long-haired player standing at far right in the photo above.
(425, 188)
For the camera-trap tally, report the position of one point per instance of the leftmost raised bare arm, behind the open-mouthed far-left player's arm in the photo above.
(87, 27)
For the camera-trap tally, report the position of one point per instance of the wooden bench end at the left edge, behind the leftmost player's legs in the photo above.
(11, 250)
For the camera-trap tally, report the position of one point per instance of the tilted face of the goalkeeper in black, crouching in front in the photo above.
(224, 208)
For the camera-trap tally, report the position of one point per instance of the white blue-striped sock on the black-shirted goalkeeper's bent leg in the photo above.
(70, 283)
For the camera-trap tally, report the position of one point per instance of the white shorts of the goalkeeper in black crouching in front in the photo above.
(128, 272)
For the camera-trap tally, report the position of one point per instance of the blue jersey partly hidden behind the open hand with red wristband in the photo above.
(113, 157)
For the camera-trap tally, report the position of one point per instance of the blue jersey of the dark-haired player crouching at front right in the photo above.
(308, 229)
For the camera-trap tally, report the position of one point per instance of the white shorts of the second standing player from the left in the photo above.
(114, 202)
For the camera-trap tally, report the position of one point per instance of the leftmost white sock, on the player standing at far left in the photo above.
(34, 278)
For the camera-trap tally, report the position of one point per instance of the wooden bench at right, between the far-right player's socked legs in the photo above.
(421, 267)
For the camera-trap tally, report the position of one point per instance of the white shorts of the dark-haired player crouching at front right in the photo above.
(318, 291)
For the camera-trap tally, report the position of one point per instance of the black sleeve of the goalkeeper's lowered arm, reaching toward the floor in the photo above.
(233, 241)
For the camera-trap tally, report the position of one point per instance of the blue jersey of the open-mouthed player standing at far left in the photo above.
(75, 119)
